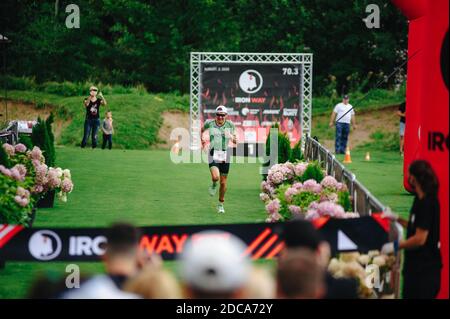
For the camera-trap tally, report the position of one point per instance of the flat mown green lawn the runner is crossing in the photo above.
(145, 187)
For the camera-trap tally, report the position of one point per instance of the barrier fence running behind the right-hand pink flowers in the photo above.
(363, 201)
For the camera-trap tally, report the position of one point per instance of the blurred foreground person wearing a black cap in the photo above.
(302, 234)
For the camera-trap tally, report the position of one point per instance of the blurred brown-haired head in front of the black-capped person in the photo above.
(300, 275)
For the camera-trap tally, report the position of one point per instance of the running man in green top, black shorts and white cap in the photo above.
(221, 131)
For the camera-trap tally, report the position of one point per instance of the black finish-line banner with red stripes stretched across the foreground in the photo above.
(262, 240)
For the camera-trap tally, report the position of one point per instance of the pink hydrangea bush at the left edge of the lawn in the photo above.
(25, 181)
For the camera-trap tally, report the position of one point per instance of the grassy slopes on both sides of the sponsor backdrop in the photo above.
(137, 116)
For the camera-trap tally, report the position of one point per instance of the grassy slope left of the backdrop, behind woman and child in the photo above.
(137, 117)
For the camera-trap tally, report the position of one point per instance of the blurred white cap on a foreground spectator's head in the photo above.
(214, 261)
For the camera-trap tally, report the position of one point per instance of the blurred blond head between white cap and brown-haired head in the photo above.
(260, 285)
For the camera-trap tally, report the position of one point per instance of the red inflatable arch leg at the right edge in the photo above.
(428, 105)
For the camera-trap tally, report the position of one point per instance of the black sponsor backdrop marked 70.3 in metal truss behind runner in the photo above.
(258, 93)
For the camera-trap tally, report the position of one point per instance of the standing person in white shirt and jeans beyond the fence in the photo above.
(343, 114)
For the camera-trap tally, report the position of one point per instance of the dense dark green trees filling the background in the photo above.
(148, 42)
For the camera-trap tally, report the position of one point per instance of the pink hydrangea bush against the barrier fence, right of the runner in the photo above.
(303, 189)
